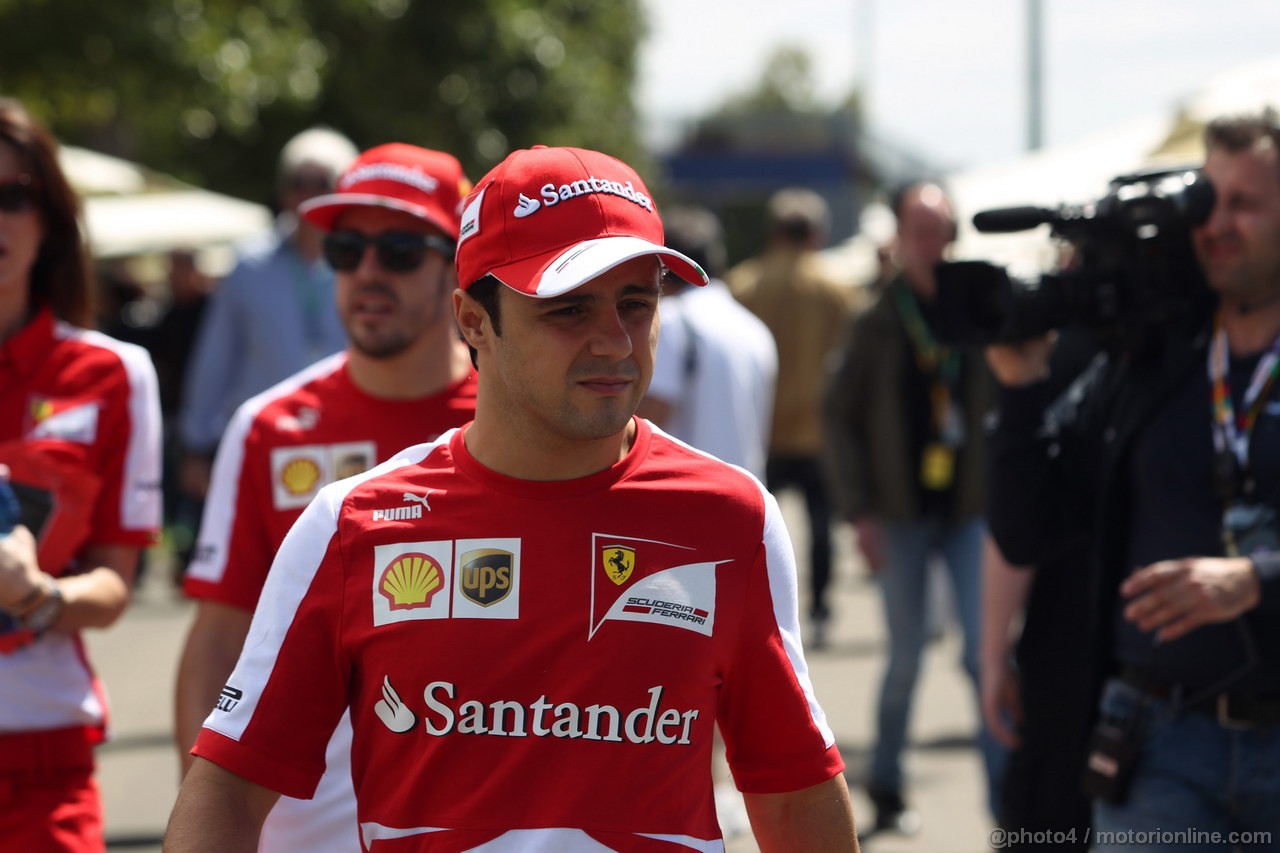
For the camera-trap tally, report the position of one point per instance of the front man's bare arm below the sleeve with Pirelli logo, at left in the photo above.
(218, 811)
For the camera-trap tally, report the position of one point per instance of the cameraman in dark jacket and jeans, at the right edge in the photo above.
(1168, 460)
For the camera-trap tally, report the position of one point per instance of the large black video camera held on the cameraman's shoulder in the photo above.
(1132, 266)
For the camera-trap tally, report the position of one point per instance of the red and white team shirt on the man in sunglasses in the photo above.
(281, 449)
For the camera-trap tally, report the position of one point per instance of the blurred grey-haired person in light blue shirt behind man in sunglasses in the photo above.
(272, 316)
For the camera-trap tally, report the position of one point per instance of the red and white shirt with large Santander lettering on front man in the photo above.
(536, 663)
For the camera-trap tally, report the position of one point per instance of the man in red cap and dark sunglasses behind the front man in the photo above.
(404, 378)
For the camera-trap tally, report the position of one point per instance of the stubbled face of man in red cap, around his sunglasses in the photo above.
(387, 312)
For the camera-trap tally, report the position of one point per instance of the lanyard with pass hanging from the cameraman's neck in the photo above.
(1249, 526)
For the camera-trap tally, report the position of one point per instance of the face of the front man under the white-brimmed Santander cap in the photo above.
(575, 367)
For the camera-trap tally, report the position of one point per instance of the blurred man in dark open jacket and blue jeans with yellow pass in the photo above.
(906, 434)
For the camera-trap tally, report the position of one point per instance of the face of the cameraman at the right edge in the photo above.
(1240, 247)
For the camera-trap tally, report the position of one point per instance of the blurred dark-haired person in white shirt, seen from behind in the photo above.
(717, 367)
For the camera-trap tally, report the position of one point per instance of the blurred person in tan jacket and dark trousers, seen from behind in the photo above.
(806, 311)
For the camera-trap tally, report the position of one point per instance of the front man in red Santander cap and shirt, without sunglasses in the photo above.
(540, 660)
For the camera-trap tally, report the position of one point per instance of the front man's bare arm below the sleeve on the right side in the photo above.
(819, 819)
